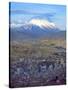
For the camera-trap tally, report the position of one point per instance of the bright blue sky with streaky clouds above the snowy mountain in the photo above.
(23, 12)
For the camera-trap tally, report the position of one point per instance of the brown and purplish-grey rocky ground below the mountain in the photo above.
(37, 64)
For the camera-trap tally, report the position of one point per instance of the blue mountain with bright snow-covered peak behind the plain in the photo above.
(35, 29)
